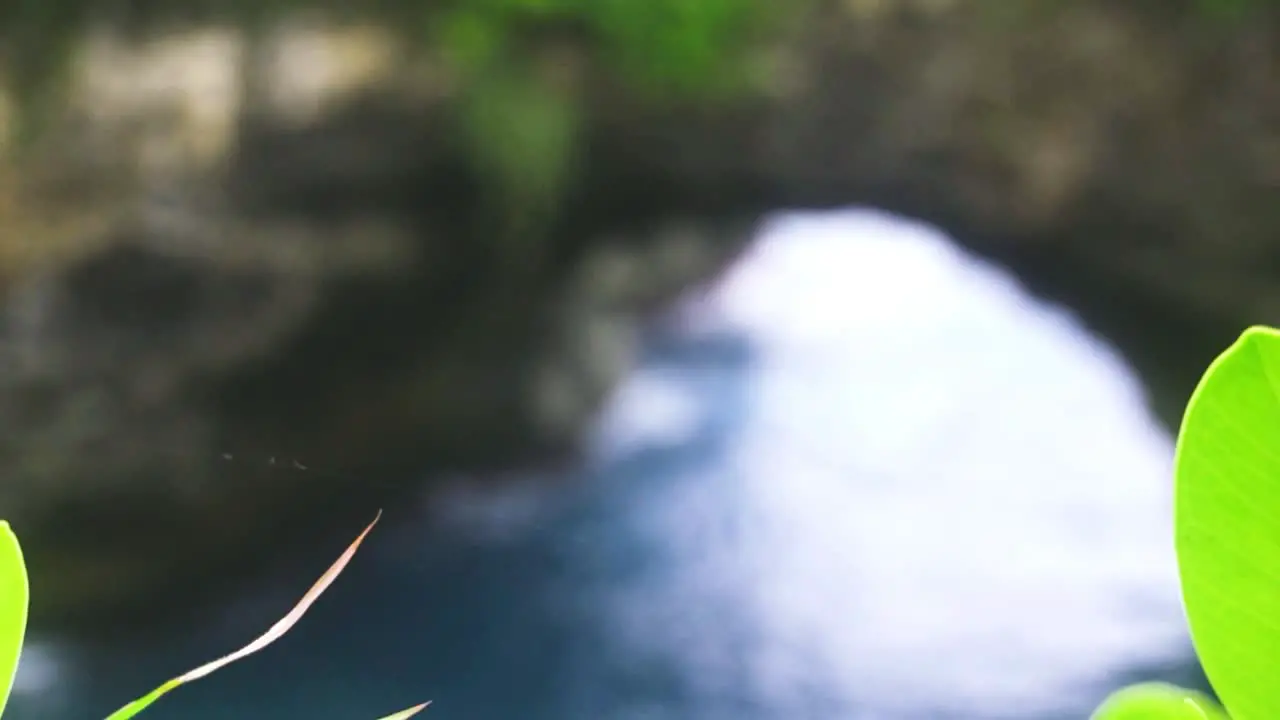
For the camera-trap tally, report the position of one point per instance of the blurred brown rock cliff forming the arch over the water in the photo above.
(277, 249)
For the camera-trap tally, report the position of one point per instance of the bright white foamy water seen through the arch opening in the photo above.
(943, 498)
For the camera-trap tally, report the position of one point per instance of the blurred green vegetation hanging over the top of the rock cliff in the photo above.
(520, 122)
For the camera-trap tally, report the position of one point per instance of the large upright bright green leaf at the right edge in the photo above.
(1227, 516)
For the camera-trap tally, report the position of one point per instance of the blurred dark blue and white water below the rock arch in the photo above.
(863, 477)
